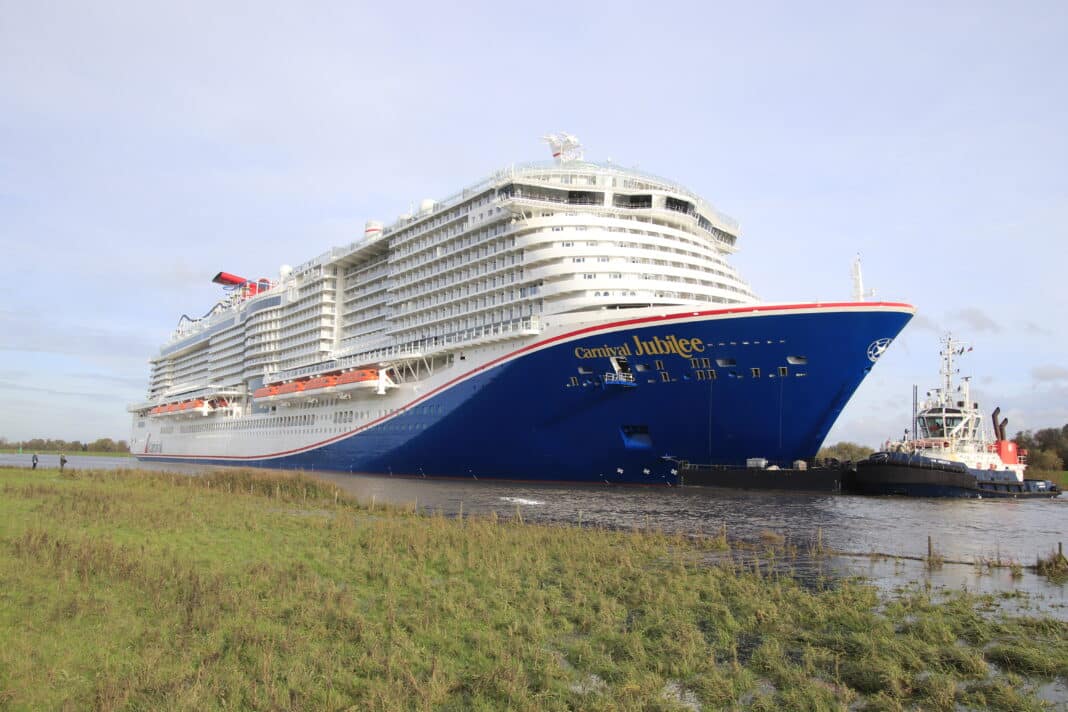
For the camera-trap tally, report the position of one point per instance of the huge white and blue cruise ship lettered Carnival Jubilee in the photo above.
(562, 322)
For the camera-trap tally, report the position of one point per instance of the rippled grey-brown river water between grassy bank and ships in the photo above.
(961, 530)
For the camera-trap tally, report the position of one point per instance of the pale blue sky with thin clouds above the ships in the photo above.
(146, 147)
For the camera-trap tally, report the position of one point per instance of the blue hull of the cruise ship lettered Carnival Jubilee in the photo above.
(765, 383)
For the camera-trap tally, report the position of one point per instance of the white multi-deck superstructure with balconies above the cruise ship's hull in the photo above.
(489, 264)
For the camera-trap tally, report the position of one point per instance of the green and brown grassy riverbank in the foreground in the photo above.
(133, 590)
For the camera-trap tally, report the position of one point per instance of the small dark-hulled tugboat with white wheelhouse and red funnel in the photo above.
(950, 453)
